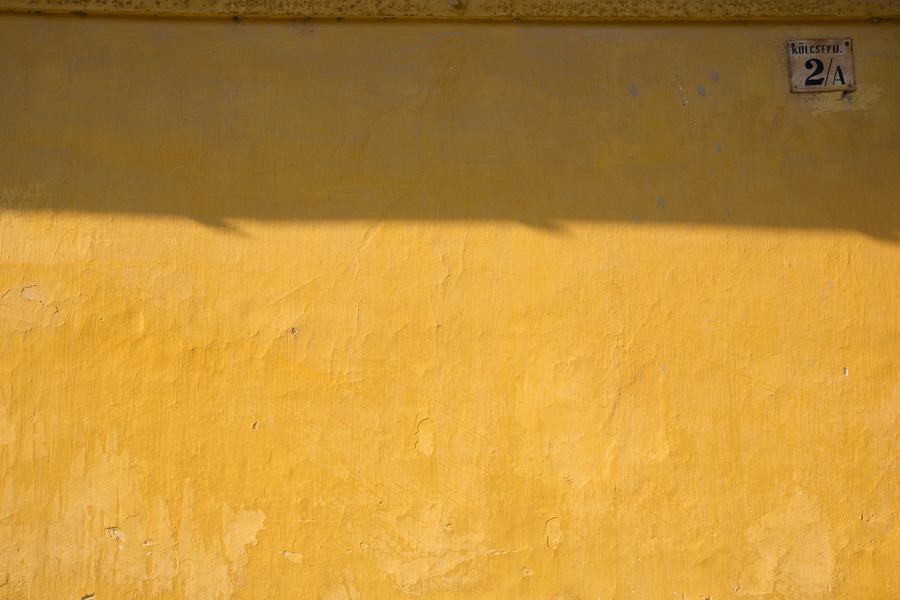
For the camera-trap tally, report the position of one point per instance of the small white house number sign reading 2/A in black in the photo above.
(821, 65)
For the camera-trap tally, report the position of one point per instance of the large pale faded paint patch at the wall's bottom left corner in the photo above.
(100, 517)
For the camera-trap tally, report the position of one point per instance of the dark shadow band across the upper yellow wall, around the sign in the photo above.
(539, 123)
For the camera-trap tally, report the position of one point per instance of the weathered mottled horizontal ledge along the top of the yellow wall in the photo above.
(568, 10)
